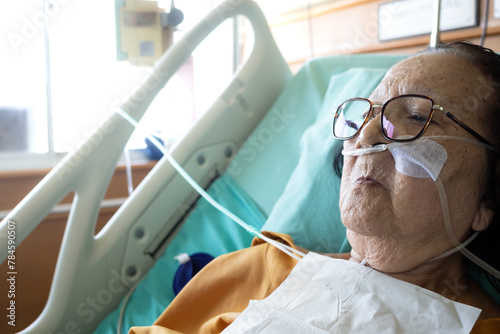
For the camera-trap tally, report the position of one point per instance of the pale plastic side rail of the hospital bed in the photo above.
(93, 273)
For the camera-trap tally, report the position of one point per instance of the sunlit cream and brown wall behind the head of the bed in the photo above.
(350, 27)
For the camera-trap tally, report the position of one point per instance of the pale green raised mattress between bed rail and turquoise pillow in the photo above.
(271, 153)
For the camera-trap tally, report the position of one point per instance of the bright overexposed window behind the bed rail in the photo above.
(61, 78)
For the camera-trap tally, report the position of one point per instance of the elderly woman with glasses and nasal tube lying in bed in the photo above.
(396, 221)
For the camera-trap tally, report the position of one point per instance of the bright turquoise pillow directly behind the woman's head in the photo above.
(308, 209)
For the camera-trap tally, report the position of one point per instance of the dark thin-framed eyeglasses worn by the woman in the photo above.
(403, 118)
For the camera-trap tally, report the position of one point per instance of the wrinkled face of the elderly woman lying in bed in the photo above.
(395, 221)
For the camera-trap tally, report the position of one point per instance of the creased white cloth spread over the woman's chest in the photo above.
(325, 295)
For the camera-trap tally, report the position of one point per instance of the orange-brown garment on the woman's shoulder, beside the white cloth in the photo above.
(217, 295)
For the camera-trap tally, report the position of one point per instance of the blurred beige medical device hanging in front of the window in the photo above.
(144, 30)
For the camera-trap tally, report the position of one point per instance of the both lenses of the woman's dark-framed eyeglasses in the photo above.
(403, 117)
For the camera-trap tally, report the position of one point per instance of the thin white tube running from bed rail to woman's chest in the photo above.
(250, 229)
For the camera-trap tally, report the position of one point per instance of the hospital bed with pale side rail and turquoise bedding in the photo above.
(263, 150)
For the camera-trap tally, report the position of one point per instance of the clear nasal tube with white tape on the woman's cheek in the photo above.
(425, 158)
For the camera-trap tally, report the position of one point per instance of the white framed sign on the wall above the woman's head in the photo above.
(408, 18)
